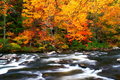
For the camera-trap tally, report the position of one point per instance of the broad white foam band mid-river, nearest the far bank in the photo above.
(76, 58)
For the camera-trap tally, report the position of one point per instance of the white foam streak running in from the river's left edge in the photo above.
(16, 64)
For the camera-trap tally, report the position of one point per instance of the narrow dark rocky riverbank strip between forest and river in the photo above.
(65, 51)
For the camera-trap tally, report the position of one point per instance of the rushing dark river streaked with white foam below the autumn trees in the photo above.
(75, 66)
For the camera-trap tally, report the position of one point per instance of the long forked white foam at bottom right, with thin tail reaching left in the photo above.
(87, 73)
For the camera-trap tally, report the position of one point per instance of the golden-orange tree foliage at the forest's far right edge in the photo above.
(111, 17)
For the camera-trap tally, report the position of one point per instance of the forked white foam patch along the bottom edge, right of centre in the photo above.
(87, 73)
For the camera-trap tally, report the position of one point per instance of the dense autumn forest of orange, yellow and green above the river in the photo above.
(39, 25)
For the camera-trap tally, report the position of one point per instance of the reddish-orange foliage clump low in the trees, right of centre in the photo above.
(78, 32)
